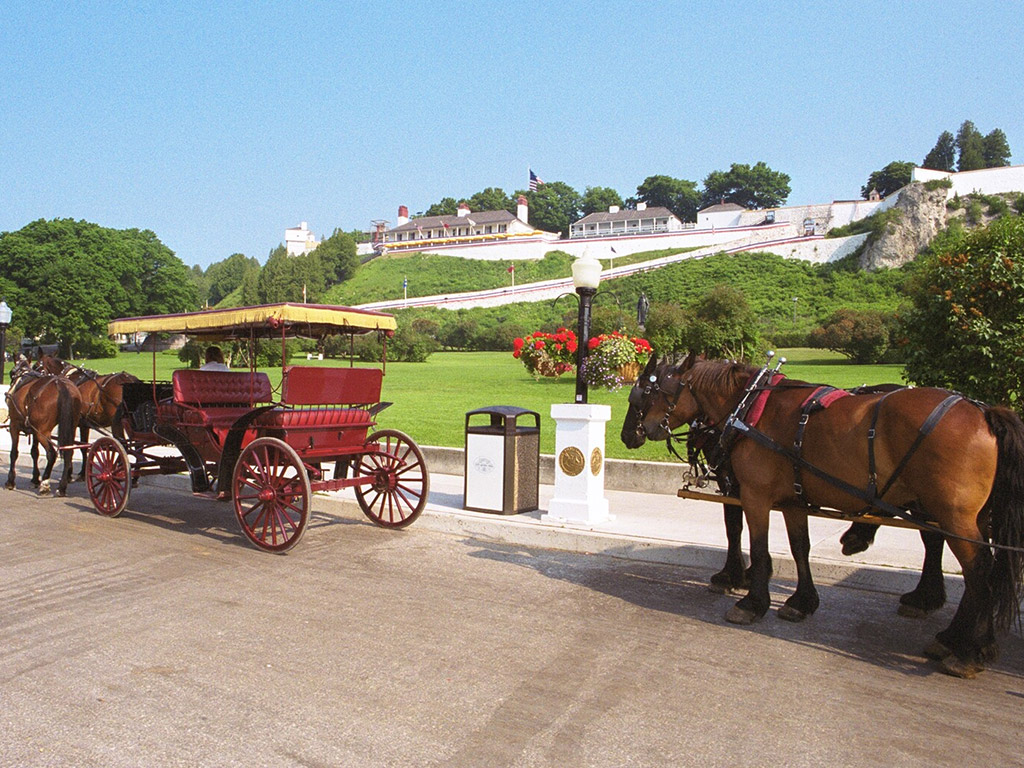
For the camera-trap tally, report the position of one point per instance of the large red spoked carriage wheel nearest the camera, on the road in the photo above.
(272, 495)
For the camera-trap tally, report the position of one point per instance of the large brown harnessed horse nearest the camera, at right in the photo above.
(953, 462)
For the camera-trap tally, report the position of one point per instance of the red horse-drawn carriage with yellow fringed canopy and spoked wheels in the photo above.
(265, 451)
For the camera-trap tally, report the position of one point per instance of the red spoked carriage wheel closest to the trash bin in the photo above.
(398, 493)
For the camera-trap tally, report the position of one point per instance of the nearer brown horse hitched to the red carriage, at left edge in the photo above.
(37, 403)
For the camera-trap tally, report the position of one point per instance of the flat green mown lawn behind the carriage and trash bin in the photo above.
(432, 399)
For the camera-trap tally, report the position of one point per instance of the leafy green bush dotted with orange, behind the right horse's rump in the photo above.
(966, 329)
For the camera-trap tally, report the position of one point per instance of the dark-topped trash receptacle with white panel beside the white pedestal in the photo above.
(503, 461)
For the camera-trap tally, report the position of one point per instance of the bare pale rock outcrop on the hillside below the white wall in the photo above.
(922, 216)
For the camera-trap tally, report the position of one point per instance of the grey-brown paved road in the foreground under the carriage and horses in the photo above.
(161, 639)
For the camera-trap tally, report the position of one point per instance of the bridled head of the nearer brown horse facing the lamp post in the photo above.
(654, 400)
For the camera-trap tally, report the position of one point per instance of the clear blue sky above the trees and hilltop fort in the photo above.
(219, 125)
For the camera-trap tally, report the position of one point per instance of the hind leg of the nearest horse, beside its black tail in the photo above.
(969, 642)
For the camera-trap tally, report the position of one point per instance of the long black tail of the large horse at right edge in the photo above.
(1006, 505)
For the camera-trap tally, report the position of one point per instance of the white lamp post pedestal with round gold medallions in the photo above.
(579, 464)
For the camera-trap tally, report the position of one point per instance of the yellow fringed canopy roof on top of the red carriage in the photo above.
(268, 321)
